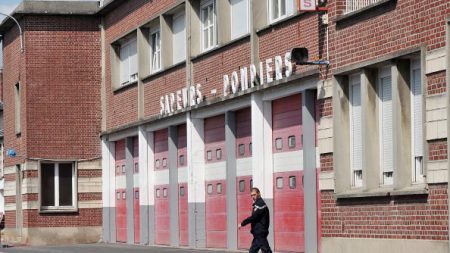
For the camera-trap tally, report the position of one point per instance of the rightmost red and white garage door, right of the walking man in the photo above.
(288, 168)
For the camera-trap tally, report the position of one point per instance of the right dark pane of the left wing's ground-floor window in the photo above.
(65, 184)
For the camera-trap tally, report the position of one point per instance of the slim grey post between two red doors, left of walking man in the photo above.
(230, 143)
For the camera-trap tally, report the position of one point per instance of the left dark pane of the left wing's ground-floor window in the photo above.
(48, 184)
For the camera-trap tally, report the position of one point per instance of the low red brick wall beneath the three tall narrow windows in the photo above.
(423, 217)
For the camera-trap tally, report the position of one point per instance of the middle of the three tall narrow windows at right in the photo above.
(385, 119)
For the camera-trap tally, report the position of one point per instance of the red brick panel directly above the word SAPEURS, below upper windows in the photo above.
(169, 82)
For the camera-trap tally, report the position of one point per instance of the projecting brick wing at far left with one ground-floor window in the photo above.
(51, 93)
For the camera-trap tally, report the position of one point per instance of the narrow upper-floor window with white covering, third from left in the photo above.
(179, 37)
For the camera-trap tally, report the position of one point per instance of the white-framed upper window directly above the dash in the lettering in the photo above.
(205, 4)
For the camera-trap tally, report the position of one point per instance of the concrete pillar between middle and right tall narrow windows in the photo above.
(401, 118)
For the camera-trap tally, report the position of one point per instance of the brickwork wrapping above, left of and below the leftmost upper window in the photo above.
(122, 107)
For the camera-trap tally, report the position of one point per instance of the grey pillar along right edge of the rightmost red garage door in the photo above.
(310, 170)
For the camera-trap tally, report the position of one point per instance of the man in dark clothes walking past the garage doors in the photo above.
(260, 221)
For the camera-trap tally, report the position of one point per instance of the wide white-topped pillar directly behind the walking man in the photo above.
(262, 158)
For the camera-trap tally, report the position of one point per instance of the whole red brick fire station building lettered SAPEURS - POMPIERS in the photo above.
(199, 100)
